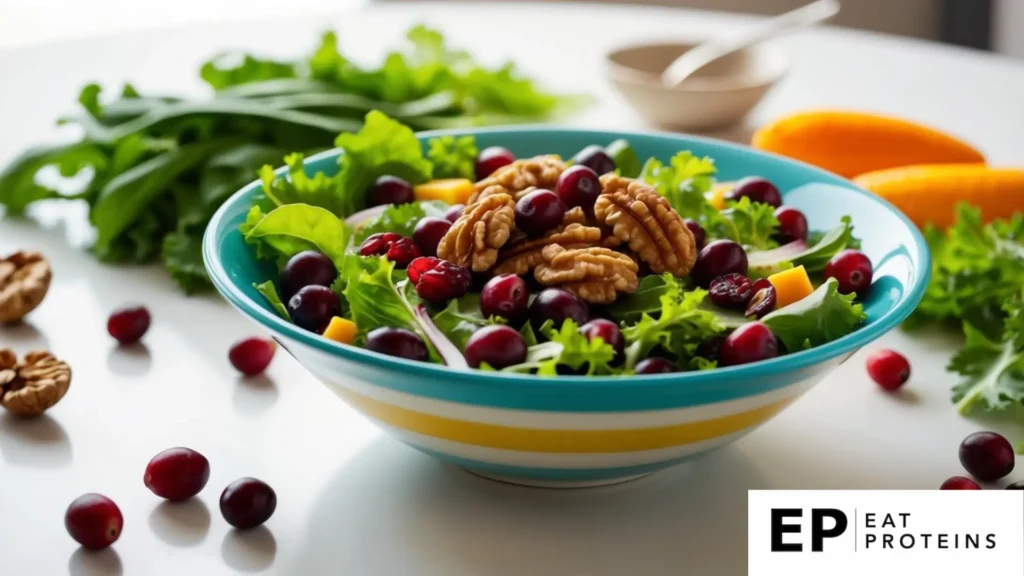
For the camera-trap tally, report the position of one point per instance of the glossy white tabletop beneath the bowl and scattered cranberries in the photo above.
(353, 502)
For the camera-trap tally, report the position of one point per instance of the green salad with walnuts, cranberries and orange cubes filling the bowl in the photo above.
(596, 265)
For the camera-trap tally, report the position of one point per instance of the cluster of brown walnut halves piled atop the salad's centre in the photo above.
(595, 254)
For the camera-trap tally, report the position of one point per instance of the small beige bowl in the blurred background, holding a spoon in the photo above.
(721, 94)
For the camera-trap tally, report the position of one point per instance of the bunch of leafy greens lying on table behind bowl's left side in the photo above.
(158, 168)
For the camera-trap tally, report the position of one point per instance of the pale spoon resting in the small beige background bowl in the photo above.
(707, 53)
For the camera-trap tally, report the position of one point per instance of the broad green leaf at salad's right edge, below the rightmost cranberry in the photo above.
(821, 318)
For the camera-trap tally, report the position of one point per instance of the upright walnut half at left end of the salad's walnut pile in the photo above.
(484, 228)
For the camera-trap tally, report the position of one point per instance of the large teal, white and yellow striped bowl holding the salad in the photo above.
(588, 431)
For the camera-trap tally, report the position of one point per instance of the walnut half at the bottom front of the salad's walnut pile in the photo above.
(596, 275)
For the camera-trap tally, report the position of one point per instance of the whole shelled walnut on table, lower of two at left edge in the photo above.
(31, 388)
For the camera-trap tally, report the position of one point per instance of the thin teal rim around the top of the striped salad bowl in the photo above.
(784, 364)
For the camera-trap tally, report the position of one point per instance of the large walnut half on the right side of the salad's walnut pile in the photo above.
(641, 218)
